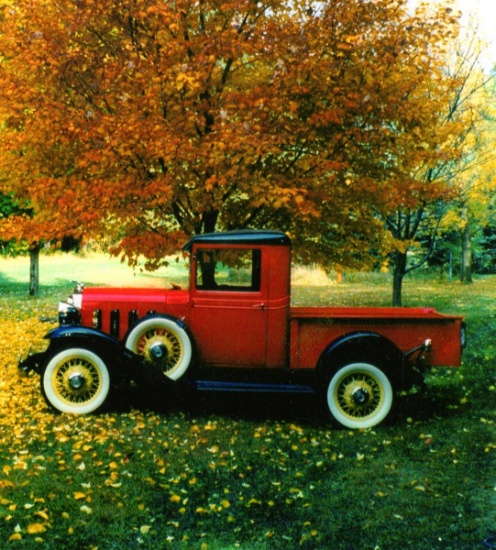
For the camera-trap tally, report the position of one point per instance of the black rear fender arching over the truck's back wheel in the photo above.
(369, 347)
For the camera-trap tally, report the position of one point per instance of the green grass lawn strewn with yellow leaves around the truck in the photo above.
(251, 473)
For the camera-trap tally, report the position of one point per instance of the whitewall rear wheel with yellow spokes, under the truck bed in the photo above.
(359, 395)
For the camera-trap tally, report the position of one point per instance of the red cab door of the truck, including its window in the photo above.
(228, 307)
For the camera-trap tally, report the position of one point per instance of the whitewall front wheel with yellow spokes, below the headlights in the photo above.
(75, 380)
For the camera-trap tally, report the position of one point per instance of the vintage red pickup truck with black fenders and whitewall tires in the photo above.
(234, 329)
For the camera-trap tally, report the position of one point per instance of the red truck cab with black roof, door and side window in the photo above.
(240, 298)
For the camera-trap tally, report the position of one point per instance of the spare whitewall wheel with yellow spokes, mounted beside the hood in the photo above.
(163, 343)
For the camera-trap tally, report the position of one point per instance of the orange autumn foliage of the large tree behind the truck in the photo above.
(152, 120)
